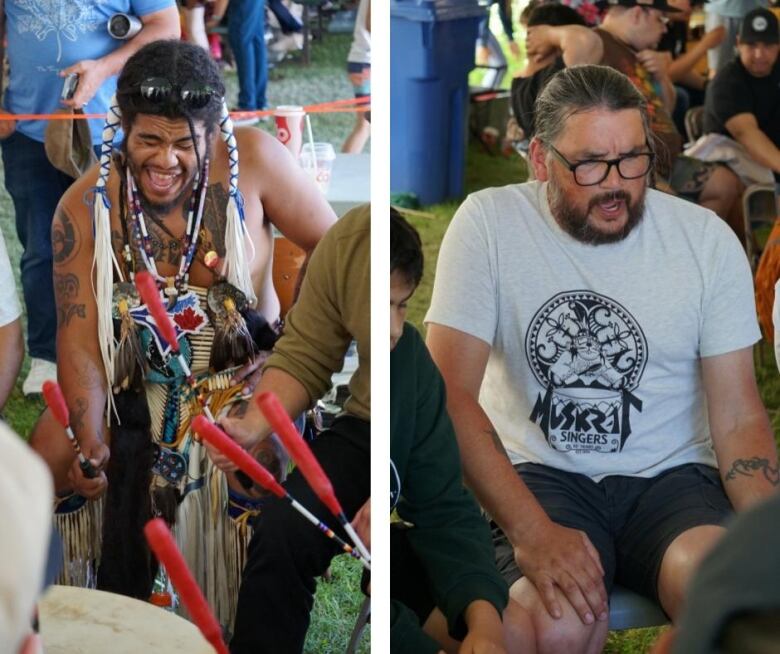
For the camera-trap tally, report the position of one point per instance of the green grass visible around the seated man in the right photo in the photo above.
(484, 170)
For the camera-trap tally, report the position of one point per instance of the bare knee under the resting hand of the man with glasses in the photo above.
(566, 634)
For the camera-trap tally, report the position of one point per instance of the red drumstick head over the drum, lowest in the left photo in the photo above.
(164, 547)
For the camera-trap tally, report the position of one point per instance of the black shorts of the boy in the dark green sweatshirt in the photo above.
(409, 582)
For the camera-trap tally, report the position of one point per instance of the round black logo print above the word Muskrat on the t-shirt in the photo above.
(586, 340)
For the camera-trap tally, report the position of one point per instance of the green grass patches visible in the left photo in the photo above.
(337, 601)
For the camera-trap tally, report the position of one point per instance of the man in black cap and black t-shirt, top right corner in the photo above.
(743, 101)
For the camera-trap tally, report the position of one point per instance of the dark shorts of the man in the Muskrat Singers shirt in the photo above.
(631, 521)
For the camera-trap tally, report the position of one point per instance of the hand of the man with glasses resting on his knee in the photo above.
(563, 557)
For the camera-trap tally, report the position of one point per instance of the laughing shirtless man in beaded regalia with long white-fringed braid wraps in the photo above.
(170, 203)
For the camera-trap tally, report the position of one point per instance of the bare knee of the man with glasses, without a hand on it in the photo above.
(679, 563)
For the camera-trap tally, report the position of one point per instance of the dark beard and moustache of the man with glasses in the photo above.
(575, 222)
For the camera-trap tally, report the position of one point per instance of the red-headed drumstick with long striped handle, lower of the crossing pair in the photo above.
(214, 435)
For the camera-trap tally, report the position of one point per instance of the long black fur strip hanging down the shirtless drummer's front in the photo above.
(127, 566)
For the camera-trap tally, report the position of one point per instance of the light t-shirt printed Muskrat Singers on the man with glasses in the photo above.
(595, 350)
